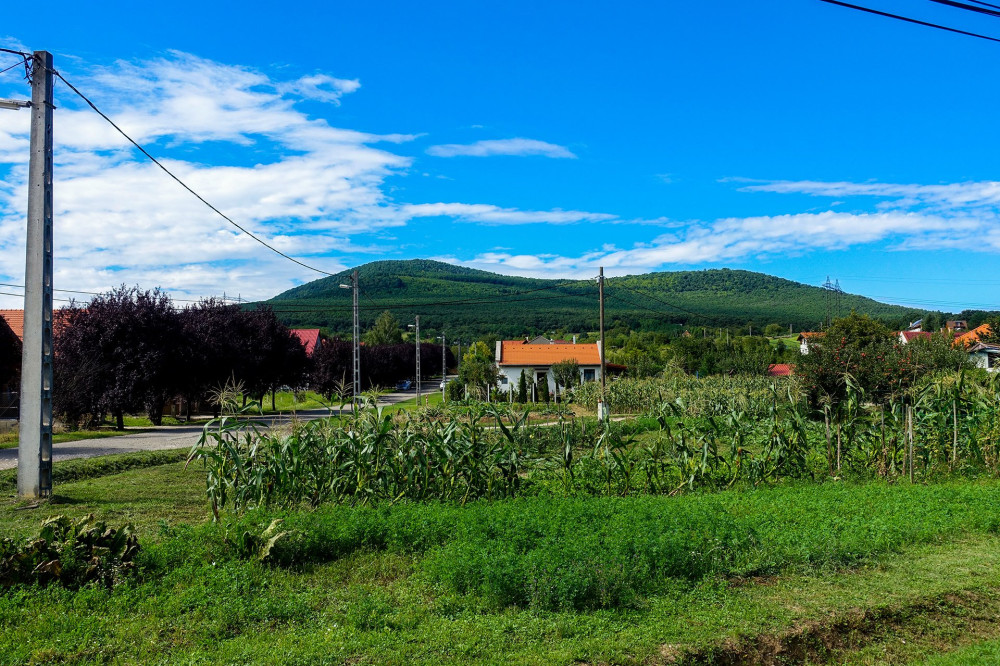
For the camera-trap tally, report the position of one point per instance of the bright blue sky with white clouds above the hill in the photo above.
(784, 136)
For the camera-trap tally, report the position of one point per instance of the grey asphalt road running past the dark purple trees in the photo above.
(167, 437)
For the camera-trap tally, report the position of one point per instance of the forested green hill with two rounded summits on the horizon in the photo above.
(466, 302)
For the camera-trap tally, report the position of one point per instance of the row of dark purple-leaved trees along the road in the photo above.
(130, 351)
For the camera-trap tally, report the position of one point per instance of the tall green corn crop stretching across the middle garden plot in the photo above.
(730, 433)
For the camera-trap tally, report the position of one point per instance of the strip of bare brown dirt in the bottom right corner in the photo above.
(942, 623)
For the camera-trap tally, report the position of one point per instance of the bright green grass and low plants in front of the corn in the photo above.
(377, 585)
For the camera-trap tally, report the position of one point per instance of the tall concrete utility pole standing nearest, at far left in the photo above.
(34, 449)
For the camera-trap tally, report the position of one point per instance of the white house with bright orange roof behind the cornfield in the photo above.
(536, 359)
